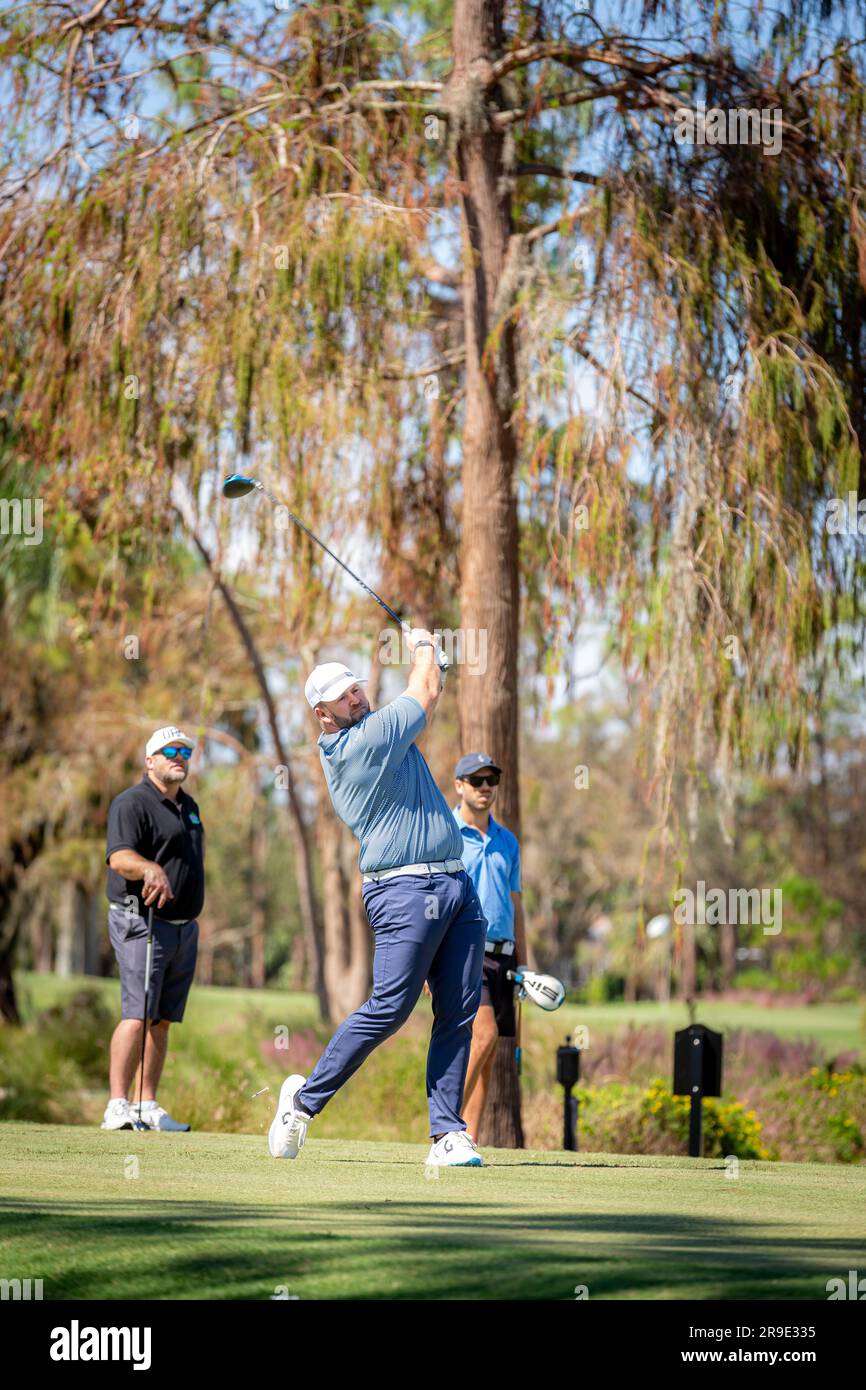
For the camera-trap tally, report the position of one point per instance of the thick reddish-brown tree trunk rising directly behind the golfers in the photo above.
(489, 557)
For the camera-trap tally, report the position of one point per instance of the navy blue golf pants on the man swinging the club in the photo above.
(426, 928)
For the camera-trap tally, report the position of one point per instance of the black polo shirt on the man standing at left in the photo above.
(168, 832)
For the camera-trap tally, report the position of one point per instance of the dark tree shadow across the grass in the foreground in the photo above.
(427, 1250)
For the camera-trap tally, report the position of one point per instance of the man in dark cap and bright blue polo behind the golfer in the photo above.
(491, 856)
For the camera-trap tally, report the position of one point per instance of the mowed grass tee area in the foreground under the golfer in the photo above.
(215, 1217)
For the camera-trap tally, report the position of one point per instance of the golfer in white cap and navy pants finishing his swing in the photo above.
(420, 903)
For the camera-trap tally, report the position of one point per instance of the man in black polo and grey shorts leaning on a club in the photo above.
(155, 856)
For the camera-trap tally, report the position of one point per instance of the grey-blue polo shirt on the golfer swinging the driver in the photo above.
(384, 792)
